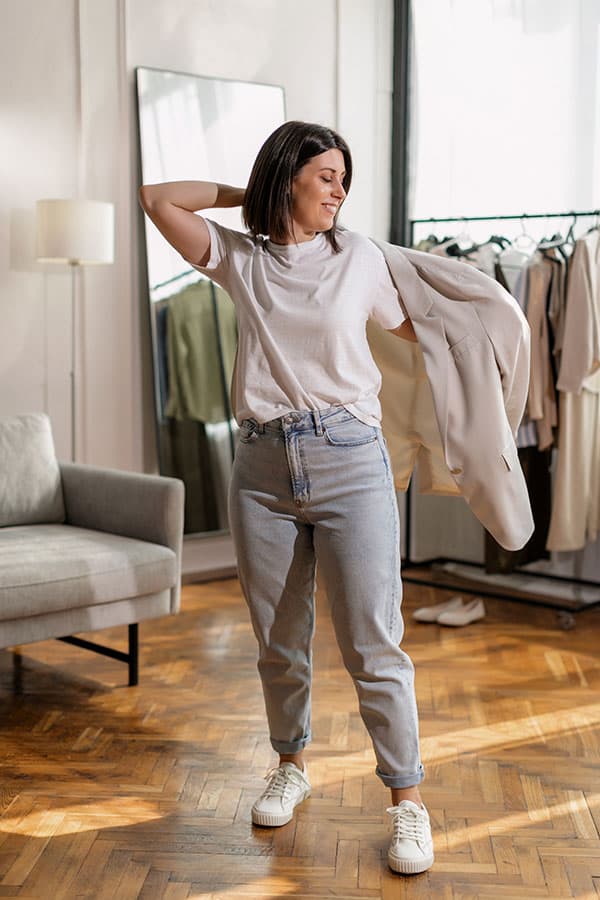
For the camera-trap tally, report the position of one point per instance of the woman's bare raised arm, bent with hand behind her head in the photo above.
(172, 207)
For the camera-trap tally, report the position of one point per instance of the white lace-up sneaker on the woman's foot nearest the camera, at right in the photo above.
(411, 850)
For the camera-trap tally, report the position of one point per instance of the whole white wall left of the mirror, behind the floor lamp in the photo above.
(60, 138)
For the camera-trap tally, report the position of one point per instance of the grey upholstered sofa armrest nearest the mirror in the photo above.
(146, 507)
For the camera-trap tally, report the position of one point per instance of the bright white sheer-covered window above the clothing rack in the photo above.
(505, 107)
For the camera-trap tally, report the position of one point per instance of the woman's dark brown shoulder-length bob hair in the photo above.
(267, 205)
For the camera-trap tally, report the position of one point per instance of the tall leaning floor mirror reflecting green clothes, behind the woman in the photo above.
(210, 129)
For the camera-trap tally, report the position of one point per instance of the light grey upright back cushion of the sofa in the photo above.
(30, 485)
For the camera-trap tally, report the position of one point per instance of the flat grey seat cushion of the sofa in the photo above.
(46, 568)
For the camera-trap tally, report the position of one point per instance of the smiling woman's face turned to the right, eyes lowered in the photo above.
(317, 194)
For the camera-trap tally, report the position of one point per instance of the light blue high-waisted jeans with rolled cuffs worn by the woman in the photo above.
(317, 487)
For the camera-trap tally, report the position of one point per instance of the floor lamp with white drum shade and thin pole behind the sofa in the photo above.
(76, 233)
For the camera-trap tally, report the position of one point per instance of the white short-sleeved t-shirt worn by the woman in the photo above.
(302, 311)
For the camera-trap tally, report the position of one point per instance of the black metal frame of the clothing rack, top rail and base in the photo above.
(564, 607)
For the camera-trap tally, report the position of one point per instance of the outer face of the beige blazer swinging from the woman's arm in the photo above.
(476, 348)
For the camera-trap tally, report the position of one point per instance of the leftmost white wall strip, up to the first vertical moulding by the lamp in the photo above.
(38, 140)
